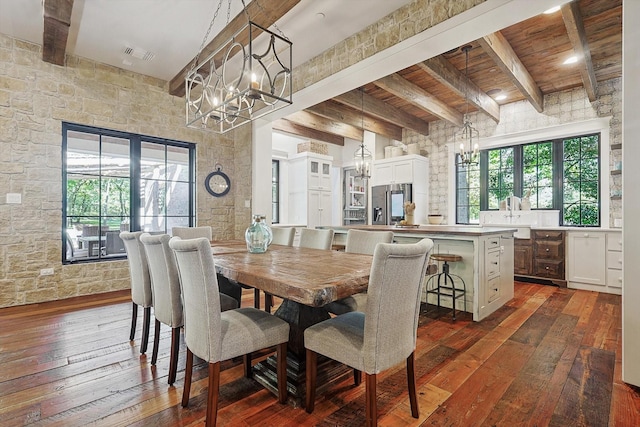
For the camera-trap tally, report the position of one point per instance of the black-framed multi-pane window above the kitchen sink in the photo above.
(561, 174)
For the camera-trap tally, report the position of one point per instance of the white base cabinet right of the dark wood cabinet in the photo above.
(586, 260)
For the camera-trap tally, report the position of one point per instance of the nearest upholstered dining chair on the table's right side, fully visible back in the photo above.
(385, 334)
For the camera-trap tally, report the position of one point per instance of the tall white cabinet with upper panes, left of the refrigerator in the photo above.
(310, 198)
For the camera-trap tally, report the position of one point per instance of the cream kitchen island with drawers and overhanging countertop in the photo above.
(487, 260)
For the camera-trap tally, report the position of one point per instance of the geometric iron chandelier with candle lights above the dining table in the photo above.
(246, 77)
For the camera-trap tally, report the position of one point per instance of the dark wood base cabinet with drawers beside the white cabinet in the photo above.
(541, 257)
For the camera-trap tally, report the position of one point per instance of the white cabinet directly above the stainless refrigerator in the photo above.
(409, 169)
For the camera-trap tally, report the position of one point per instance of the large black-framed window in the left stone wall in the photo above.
(114, 181)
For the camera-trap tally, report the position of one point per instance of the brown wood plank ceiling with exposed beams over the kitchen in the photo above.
(524, 61)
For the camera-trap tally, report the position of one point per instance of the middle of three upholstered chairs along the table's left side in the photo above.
(167, 299)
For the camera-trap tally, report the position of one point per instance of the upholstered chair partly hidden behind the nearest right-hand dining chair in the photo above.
(359, 242)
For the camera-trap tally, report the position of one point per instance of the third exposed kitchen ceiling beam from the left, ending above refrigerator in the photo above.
(335, 111)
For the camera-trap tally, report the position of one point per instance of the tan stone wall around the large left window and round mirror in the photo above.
(35, 98)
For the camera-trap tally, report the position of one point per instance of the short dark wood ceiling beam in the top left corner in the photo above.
(57, 20)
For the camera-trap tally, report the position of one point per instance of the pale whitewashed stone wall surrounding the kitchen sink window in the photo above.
(564, 107)
